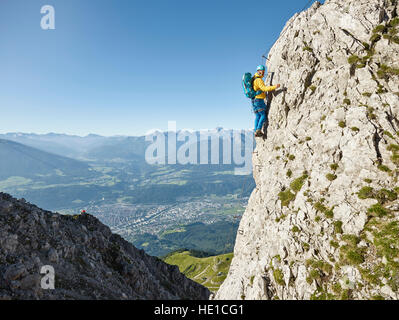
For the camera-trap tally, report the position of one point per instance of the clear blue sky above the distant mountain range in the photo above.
(123, 67)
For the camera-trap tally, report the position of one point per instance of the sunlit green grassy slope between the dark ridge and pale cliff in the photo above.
(209, 271)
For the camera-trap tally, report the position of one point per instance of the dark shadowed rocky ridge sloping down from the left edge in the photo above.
(89, 261)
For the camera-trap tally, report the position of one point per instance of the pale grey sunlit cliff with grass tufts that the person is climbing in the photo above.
(322, 222)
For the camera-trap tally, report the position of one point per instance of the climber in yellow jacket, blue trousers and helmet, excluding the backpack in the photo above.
(258, 103)
